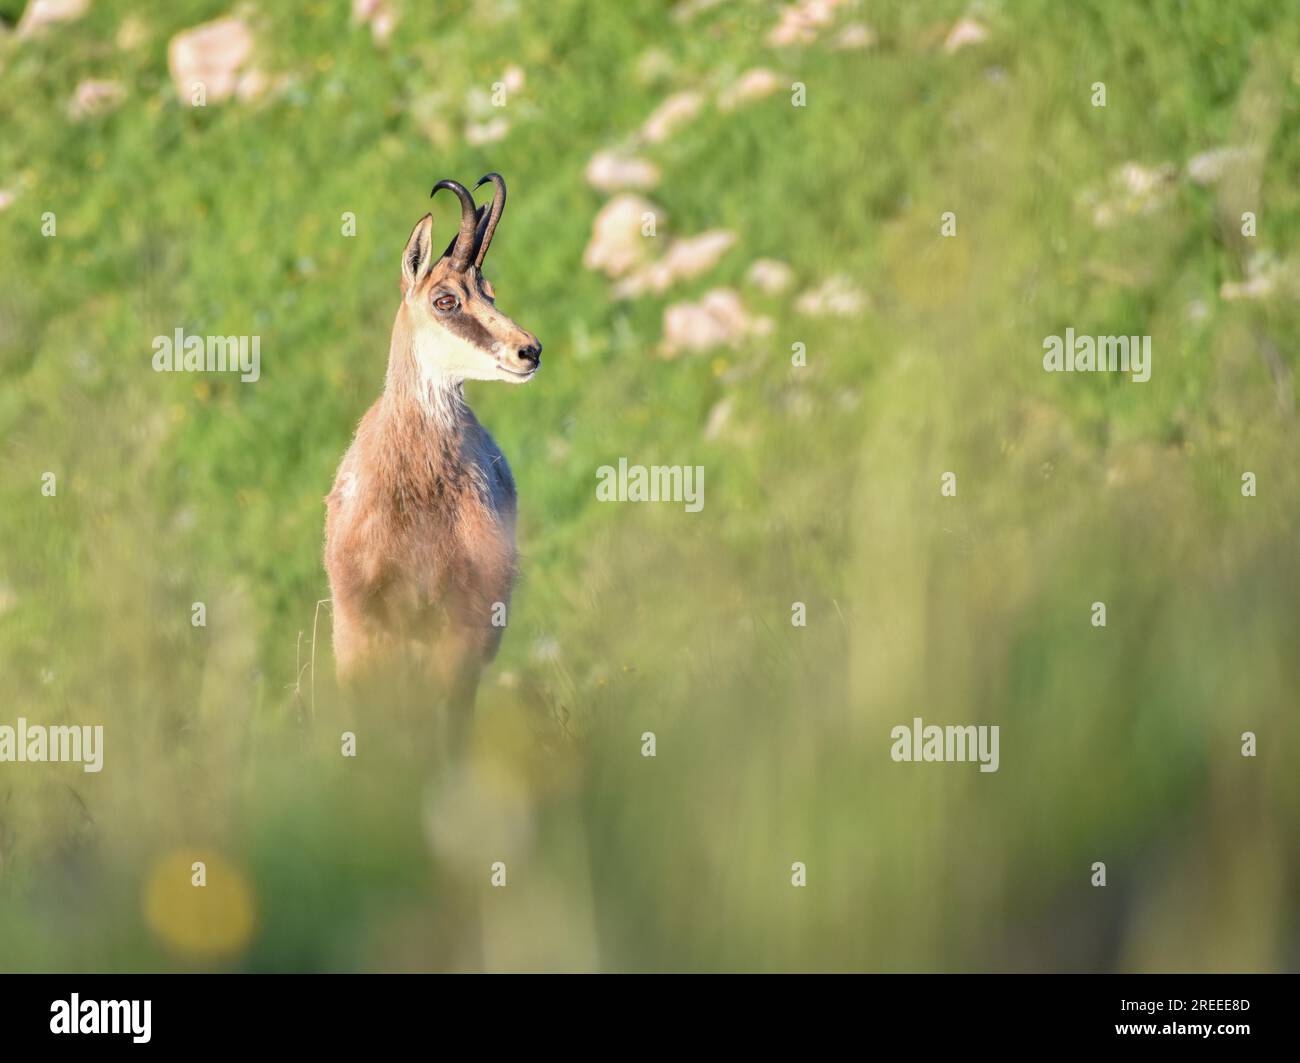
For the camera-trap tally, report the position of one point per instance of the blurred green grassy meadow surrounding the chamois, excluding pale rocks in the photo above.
(1120, 745)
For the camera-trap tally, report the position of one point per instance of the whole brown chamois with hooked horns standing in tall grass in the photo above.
(421, 524)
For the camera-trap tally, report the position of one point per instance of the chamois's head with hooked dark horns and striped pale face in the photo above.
(458, 332)
